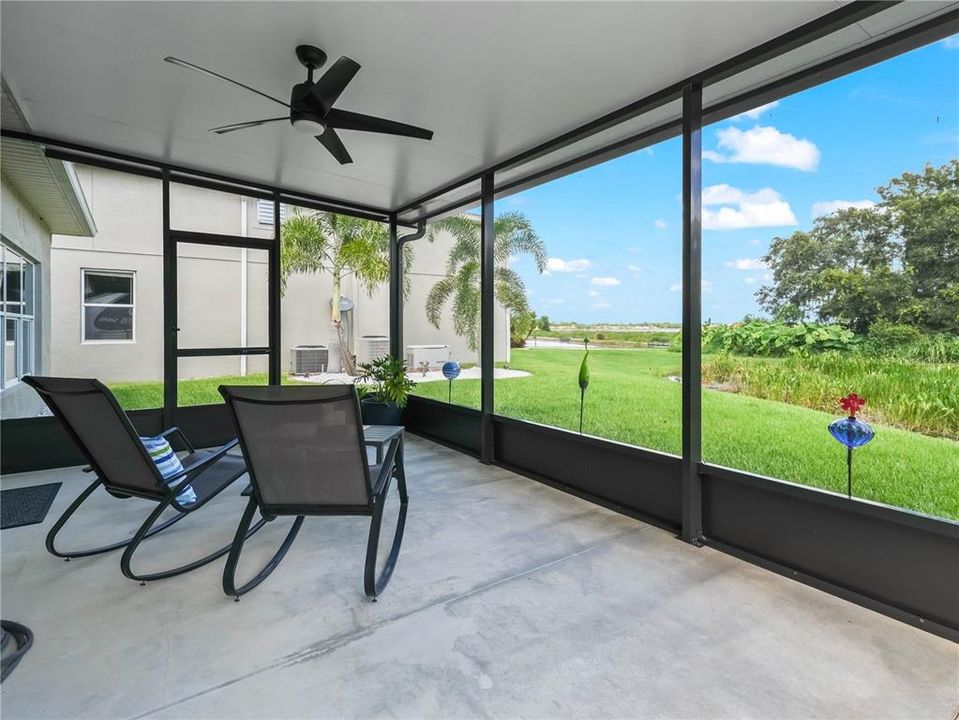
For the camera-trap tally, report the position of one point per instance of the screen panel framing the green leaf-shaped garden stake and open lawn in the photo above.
(599, 294)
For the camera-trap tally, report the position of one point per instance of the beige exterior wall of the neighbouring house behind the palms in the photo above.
(222, 298)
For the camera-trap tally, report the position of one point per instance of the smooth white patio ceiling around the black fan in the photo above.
(491, 79)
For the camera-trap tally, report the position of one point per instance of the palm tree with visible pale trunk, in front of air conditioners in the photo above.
(342, 245)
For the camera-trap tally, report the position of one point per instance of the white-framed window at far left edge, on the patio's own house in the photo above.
(17, 294)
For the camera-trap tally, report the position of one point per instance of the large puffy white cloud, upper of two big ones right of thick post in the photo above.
(765, 146)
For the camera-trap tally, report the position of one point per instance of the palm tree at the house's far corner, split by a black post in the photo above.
(514, 235)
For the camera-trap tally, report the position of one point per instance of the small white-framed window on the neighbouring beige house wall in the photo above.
(108, 298)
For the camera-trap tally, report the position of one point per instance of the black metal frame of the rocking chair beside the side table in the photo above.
(378, 490)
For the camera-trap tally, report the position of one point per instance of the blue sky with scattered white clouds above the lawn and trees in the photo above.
(613, 232)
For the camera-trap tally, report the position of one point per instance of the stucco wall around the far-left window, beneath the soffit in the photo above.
(25, 232)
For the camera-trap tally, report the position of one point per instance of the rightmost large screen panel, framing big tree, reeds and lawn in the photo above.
(833, 268)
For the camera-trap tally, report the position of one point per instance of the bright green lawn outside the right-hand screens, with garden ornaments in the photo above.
(630, 400)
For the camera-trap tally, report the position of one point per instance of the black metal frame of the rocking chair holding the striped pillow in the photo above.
(165, 495)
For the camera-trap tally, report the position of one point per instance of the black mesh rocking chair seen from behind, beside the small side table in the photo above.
(304, 446)
